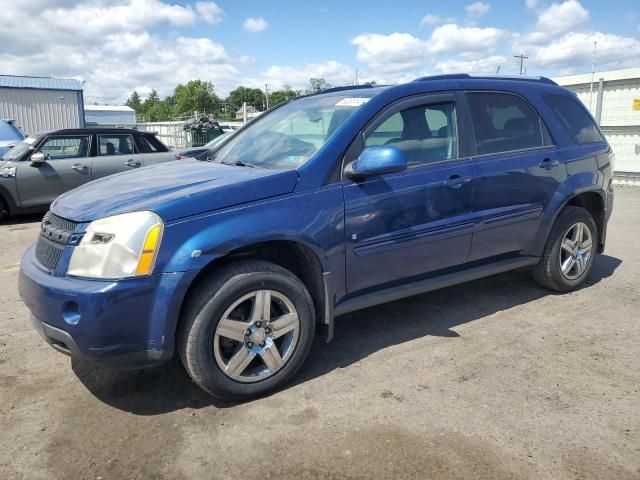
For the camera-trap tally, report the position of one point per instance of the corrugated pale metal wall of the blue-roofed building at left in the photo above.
(41, 110)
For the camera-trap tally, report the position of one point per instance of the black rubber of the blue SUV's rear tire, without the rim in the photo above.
(548, 272)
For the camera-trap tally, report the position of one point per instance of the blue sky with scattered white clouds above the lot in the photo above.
(117, 46)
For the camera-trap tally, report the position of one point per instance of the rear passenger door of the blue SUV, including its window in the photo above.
(518, 171)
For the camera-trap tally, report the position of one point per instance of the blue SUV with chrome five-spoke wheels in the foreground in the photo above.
(324, 205)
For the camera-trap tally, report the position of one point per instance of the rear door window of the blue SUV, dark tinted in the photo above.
(503, 123)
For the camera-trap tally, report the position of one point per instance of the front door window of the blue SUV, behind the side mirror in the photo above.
(425, 133)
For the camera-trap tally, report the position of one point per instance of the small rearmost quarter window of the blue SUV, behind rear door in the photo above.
(575, 119)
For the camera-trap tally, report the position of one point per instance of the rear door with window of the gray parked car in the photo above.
(115, 153)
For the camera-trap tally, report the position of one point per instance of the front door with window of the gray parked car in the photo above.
(67, 166)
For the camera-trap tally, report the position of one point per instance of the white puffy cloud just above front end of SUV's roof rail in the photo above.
(452, 38)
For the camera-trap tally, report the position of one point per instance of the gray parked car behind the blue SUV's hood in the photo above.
(41, 167)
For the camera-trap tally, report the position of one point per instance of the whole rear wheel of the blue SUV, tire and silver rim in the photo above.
(570, 251)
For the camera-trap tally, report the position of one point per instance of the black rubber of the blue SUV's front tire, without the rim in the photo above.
(205, 308)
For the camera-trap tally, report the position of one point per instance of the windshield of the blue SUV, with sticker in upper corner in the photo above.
(289, 135)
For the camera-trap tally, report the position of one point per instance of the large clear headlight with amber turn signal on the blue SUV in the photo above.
(119, 246)
